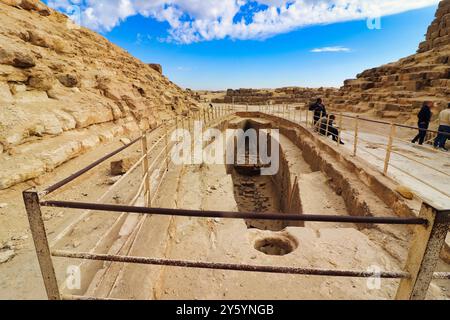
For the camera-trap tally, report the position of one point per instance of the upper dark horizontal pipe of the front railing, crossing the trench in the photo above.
(235, 215)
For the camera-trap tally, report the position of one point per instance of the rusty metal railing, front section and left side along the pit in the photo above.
(431, 225)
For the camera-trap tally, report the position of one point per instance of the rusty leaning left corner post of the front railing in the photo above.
(33, 208)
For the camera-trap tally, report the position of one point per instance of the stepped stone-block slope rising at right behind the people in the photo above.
(397, 90)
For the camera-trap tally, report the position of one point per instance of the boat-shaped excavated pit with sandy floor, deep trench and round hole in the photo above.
(312, 178)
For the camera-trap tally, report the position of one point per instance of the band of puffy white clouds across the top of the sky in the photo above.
(203, 20)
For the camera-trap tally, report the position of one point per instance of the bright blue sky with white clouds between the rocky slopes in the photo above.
(262, 44)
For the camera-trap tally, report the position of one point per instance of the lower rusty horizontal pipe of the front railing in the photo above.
(228, 266)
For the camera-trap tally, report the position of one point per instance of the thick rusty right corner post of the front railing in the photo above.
(424, 253)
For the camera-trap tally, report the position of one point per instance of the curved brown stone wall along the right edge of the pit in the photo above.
(323, 157)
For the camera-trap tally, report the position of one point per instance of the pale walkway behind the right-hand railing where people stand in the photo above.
(423, 169)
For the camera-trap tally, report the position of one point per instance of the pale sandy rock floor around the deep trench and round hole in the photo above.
(208, 187)
